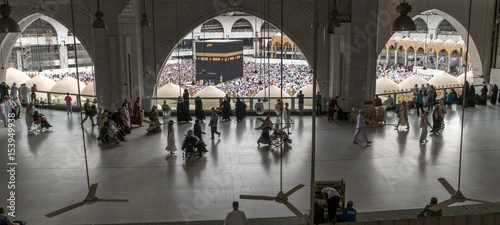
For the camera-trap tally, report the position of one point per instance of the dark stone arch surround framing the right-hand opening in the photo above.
(457, 14)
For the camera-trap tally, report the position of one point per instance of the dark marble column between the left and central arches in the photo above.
(118, 58)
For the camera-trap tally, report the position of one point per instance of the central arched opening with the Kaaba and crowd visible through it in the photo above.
(258, 72)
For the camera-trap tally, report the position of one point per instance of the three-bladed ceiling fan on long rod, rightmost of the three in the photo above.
(456, 195)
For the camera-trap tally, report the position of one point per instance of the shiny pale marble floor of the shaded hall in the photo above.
(393, 173)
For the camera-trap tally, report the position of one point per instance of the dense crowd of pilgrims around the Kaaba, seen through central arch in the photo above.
(256, 77)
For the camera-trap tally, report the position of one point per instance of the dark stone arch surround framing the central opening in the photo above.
(202, 12)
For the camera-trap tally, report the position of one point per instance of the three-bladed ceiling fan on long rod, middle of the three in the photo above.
(281, 197)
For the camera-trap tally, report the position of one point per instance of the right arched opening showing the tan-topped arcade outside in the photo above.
(432, 49)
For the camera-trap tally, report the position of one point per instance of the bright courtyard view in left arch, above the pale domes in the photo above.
(47, 45)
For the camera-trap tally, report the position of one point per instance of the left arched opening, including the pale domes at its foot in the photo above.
(45, 49)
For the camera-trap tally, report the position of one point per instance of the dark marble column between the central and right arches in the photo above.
(355, 57)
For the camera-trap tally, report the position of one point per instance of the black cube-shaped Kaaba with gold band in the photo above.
(219, 58)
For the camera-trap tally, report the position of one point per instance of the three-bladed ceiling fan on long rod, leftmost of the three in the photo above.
(91, 197)
